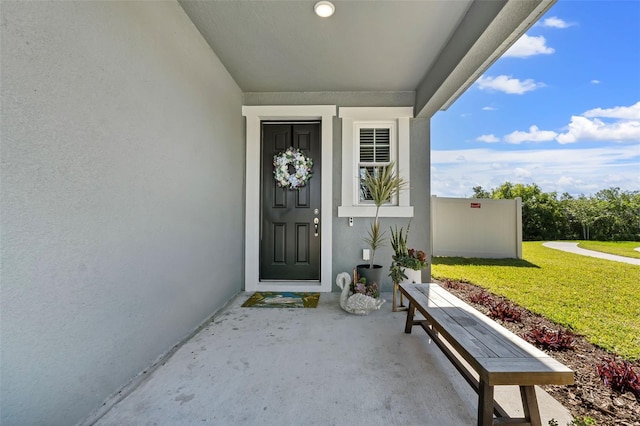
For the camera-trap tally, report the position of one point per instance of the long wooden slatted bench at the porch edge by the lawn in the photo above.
(498, 356)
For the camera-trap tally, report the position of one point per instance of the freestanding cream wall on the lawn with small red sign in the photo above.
(471, 227)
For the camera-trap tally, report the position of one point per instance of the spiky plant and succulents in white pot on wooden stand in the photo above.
(407, 263)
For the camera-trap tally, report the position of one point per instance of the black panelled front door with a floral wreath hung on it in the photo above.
(290, 228)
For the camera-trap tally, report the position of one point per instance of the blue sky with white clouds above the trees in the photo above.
(560, 109)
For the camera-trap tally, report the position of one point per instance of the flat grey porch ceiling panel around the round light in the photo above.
(282, 46)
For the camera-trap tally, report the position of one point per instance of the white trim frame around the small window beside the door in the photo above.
(352, 119)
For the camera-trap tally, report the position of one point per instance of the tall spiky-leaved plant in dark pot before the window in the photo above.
(382, 185)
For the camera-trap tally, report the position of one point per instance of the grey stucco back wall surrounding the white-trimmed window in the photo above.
(348, 240)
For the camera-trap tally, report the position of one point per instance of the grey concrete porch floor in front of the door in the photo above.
(257, 366)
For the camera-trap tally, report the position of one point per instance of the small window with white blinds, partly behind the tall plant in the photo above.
(374, 152)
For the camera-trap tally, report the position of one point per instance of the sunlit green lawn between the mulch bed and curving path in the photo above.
(597, 298)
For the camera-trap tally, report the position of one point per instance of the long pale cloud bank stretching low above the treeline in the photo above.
(573, 170)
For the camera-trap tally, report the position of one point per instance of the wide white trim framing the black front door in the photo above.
(254, 116)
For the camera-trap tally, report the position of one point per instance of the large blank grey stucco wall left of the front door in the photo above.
(122, 196)
